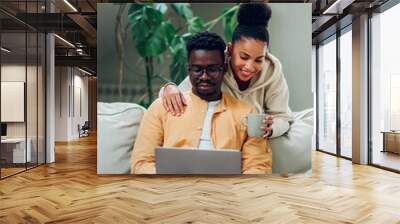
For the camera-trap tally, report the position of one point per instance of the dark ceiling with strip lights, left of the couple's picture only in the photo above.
(77, 25)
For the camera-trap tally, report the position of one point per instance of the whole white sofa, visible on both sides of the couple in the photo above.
(118, 124)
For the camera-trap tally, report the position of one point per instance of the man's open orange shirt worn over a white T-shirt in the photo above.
(159, 128)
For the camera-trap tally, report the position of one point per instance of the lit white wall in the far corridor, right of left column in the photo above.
(70, 83)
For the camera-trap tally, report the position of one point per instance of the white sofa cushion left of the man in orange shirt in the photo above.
(118, 124)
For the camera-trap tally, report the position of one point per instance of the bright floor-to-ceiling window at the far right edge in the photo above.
(385, 88)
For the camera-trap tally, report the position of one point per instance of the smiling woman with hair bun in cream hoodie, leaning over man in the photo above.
(254, 75)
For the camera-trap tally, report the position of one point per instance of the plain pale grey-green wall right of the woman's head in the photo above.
(290, 41)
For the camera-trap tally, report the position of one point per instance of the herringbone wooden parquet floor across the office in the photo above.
(70, 191)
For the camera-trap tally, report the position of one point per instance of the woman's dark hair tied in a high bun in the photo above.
(253, 20)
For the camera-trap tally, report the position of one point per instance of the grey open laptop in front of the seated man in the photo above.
(197, 161)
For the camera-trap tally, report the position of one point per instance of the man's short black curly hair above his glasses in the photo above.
(206, 41)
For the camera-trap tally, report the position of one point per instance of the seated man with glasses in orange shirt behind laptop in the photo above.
(212, 119)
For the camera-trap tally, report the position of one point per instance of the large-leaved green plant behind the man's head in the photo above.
(155, 36)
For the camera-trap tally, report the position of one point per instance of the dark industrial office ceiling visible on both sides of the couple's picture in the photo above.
(76, 22)
